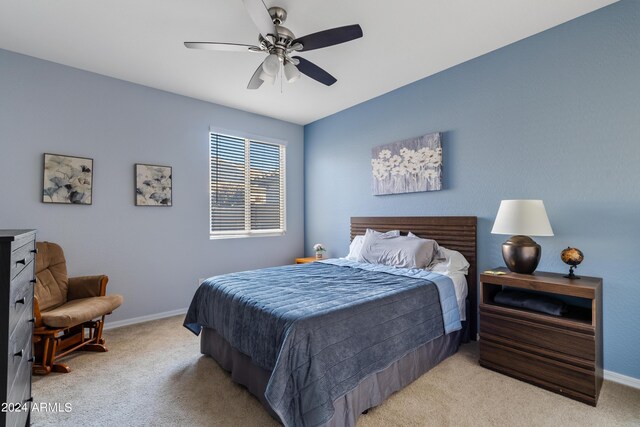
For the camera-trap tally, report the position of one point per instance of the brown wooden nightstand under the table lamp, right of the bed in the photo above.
(561, 354)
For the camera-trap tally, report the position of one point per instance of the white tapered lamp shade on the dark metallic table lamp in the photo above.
(522, 217)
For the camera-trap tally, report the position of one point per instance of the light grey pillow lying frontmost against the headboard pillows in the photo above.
(397, 251)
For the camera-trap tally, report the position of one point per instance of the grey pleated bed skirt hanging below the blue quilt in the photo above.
(372, 390)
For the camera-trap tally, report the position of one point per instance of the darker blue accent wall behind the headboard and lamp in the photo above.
(555, 117)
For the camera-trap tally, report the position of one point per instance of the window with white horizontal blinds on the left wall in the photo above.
(247, 187)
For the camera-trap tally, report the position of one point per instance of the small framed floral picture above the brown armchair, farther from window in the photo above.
(67, 179)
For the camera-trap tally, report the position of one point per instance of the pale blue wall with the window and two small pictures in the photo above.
(153, 256)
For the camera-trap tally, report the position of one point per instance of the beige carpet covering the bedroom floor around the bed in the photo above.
(154, 375)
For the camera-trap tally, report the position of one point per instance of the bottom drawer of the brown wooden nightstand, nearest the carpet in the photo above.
(551, 374)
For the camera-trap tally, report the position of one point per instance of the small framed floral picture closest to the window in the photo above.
(153, 185)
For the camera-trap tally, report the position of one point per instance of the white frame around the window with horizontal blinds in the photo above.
(248, 138)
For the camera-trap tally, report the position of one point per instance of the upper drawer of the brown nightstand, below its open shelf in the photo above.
(556, 339)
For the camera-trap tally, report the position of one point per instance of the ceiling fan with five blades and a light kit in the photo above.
(280, 43)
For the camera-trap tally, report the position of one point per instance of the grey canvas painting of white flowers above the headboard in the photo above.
(408, 166)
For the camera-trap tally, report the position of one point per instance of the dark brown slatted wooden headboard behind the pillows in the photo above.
(453, 232)
